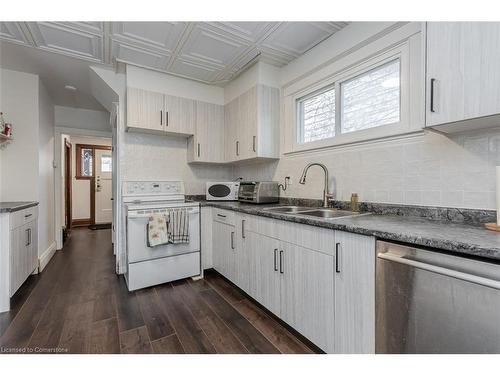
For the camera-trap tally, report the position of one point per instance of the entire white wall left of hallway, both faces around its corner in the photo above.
(27, 162)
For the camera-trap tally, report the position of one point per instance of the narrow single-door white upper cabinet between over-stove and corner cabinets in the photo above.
(207, 144)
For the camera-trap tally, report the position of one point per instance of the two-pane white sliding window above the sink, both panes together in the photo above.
(358, 100)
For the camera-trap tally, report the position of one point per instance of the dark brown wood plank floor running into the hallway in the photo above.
(79, 305)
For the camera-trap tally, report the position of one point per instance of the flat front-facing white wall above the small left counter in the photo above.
(20, 158)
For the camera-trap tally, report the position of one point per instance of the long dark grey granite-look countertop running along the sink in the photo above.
(459, 238)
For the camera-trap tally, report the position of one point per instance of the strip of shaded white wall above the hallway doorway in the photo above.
(79, 118)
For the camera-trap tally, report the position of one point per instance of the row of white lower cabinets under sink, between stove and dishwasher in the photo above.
(319, 281)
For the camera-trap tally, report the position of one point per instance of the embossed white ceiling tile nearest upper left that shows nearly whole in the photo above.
(59, 38)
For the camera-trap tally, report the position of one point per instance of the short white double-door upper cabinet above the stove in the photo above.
(154, 112)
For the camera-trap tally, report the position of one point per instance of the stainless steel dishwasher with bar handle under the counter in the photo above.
(432, 302)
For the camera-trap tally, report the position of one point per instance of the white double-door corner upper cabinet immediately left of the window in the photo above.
(252, 124)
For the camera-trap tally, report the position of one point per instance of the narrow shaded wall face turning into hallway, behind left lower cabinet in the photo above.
(46, 207)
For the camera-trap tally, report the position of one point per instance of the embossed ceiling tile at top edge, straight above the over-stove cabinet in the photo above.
(162, 36)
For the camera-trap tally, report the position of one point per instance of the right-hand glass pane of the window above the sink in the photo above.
(371, 99)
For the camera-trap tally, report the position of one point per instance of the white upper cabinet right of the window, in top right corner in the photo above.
(463, 75)
